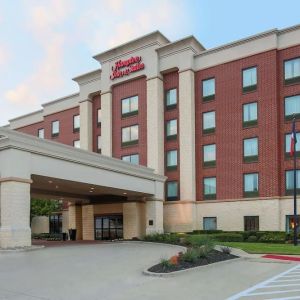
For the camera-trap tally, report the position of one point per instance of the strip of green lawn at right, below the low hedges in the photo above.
(264, 247)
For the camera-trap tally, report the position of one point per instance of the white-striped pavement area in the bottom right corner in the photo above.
(283, 285)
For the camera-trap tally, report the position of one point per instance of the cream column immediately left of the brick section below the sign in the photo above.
(106, 123)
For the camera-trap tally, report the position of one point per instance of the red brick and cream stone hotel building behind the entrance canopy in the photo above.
(213, 124)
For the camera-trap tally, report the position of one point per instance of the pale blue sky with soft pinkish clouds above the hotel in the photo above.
(46, 43)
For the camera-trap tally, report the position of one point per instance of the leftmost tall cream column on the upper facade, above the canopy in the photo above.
(86, 125)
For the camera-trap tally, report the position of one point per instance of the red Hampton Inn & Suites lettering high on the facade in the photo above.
(125, 67)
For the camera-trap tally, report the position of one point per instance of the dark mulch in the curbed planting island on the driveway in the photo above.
(213, 256)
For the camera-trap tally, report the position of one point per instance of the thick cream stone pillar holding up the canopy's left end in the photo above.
(15, 212)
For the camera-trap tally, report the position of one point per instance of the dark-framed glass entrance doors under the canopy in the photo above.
(109, 227)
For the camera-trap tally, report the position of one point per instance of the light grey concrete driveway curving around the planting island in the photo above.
(113, 271)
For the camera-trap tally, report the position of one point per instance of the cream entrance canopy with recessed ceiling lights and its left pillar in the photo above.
(30, 166)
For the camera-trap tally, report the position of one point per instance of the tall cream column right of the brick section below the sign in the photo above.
(155, 125)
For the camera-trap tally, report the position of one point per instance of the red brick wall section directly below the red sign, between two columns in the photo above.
(119, 92)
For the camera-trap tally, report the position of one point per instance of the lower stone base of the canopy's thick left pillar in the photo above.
(15, 237)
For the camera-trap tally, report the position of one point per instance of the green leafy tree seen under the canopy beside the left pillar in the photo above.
(41, 207)
